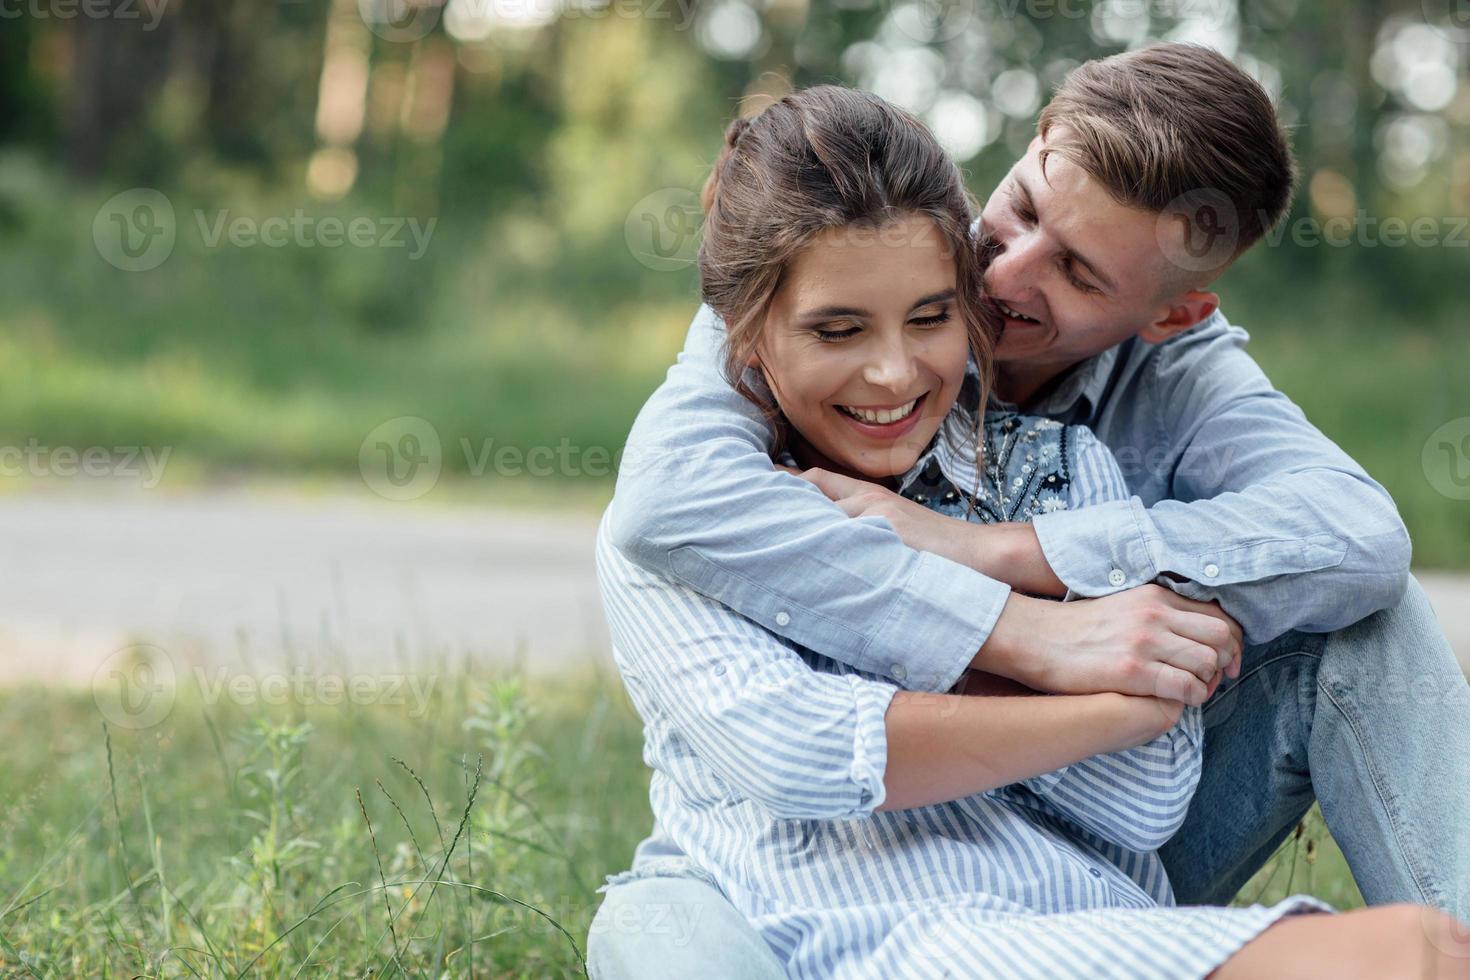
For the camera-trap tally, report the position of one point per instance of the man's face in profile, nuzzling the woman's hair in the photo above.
(1083, 271)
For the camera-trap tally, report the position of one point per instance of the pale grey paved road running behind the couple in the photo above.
(265, 583)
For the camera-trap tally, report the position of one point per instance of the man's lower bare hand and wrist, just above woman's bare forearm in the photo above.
(1146, 641)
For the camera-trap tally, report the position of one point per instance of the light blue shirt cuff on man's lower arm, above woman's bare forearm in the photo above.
(937, 625)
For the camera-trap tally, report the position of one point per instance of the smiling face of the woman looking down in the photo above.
(864, 346)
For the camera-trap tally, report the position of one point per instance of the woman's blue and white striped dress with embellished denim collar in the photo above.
(768, 768)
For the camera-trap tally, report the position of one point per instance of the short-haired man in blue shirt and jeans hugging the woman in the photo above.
(1150, 174)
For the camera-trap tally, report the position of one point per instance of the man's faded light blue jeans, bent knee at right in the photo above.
(1374, 722)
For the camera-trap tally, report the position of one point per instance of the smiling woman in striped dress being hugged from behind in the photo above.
(864, 829)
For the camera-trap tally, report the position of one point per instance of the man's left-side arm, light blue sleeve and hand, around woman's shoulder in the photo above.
(699, 502)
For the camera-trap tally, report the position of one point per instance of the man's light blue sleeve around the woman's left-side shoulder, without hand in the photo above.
(700, 502)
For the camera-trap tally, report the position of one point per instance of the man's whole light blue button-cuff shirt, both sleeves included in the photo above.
(1236, 497)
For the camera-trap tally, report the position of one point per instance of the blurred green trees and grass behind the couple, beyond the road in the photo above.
(558, 146)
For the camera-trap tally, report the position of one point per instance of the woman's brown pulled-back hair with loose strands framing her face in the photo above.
(820, 159)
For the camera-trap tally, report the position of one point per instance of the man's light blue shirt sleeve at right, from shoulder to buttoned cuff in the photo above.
(1265, 514)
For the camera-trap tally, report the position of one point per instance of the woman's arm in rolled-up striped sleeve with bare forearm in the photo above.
(811, 746)
